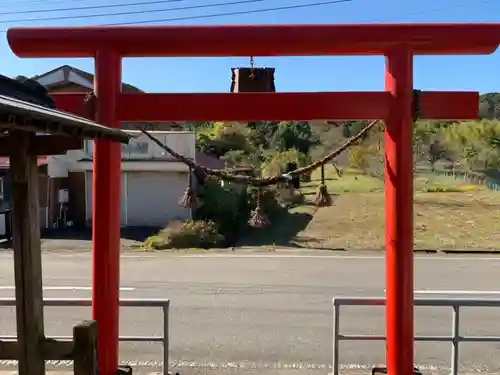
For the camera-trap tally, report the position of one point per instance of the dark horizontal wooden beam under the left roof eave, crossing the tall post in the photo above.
(44, 145)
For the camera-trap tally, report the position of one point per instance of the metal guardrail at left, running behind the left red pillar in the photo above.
(163, 304)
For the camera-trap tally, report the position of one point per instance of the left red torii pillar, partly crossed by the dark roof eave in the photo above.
(106, 203)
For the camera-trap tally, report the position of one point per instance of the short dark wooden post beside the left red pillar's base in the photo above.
(85, 348)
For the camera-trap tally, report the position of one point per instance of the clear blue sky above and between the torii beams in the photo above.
(479, 73)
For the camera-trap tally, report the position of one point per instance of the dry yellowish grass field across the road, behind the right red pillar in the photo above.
(449, 214)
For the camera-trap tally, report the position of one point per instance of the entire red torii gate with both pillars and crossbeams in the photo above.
(398, 42)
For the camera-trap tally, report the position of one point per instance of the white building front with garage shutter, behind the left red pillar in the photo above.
(152, 181)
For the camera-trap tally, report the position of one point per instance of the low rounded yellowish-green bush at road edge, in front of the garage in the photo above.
(187, 234)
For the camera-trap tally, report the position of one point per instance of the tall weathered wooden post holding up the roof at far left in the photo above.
(27, 256)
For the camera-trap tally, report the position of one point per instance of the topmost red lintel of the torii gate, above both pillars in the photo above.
(255, 40)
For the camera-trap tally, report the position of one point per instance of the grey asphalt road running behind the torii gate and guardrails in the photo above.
(271, 311)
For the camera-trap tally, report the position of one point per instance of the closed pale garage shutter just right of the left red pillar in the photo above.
(152, 198)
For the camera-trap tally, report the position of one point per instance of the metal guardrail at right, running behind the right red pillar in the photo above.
(455, 338)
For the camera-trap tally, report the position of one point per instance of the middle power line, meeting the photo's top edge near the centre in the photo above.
(144, 11)
